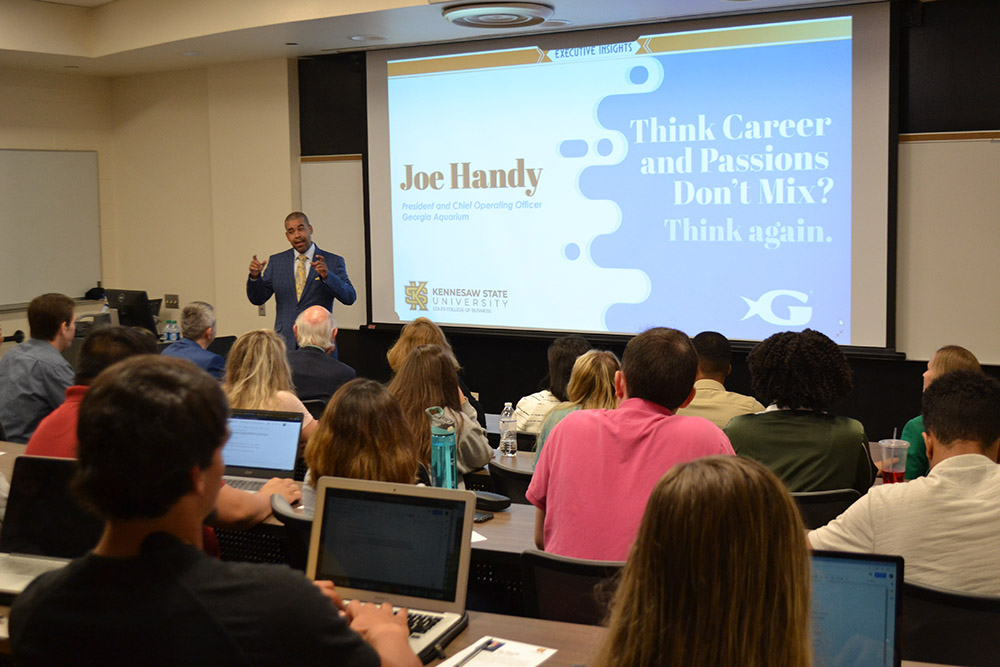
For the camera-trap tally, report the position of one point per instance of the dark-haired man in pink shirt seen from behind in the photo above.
(598, 467)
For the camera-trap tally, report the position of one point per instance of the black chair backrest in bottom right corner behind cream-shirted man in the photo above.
(948, 627)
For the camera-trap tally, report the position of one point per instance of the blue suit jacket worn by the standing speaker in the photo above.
(279, 279)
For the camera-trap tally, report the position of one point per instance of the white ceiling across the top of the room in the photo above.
(131, 36)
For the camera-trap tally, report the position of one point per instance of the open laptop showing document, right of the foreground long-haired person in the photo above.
(855, 608)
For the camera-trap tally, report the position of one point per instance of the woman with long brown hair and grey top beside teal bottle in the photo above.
(426, 379)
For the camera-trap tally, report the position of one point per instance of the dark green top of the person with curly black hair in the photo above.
(808, 451)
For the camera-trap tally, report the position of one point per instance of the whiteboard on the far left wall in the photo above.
(50, 232)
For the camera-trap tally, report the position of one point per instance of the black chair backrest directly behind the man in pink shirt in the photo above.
(573, 590)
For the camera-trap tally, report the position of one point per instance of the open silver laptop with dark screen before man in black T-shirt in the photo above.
(398, 543)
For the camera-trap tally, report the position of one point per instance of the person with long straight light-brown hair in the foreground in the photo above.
(719, 574)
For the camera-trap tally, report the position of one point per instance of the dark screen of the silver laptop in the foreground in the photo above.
(391, 544)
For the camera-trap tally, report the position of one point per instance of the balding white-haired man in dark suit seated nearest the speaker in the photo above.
(315, 374)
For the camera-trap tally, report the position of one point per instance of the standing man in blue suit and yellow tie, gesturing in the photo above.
(300, 277)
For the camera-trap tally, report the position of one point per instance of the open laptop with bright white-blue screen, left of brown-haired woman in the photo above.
(262, 444)
